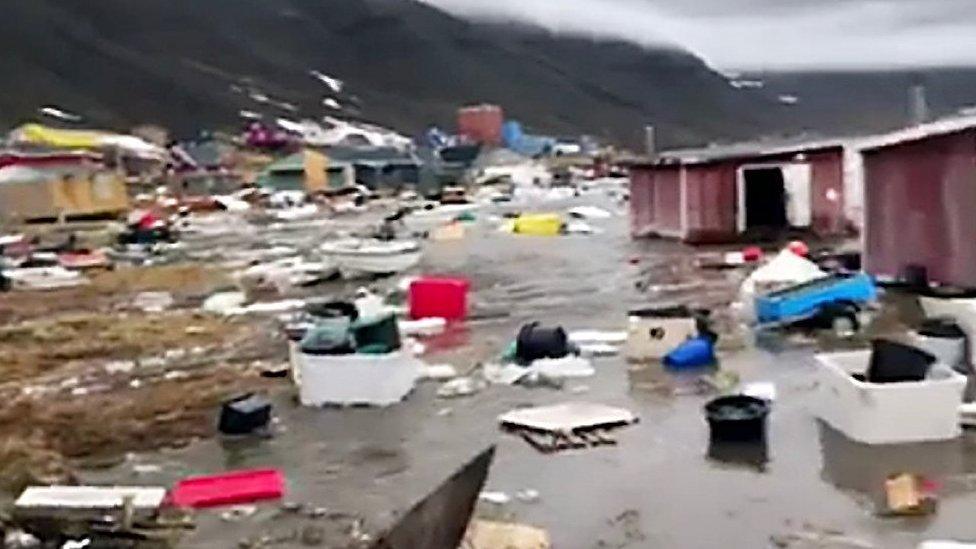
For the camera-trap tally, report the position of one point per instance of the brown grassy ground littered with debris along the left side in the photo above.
(85, 378)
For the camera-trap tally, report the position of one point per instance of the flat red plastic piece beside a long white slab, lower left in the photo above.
(228, 488)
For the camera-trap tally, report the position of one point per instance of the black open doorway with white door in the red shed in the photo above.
(774, 197)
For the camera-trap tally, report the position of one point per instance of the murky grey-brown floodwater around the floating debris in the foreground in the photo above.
(660, 486)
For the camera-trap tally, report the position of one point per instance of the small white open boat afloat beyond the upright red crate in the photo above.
(364, 256)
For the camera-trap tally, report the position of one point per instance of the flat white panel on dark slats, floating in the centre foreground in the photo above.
(563, 418)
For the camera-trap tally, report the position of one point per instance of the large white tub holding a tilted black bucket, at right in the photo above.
(887, 413)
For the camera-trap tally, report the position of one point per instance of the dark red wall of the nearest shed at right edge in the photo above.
(919, 208)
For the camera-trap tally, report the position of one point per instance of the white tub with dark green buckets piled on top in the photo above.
(356, 379)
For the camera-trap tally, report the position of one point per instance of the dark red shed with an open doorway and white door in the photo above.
(716, 194)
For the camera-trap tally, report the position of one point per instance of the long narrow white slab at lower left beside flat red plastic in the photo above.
(46, 498)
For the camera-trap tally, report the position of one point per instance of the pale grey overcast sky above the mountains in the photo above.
(750, 34)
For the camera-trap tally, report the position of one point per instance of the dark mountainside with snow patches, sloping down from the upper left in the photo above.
(195, 64)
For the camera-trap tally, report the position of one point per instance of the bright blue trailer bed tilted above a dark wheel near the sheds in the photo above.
(804, 300)
